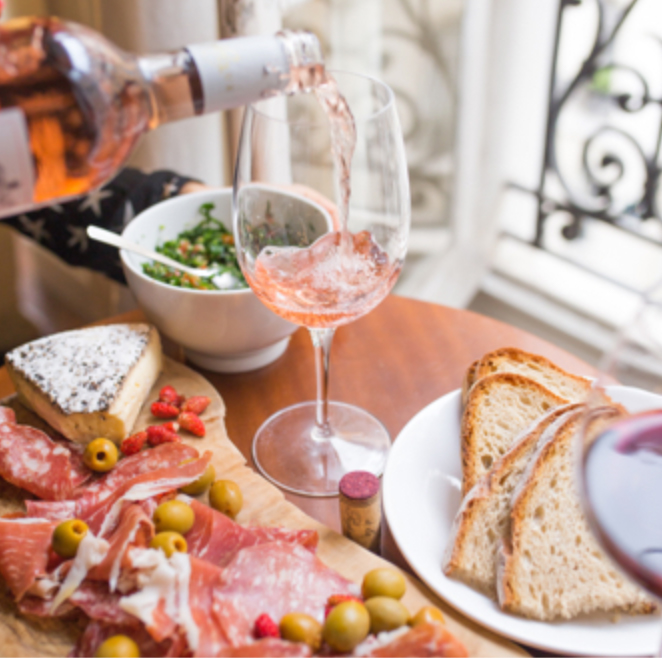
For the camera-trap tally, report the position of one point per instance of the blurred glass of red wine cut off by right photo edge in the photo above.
(621, 449)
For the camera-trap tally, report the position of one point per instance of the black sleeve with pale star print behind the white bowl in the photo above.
(61, 228)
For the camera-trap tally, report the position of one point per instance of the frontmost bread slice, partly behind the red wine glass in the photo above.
(550, 566)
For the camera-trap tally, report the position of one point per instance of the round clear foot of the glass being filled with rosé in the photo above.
(289, 451)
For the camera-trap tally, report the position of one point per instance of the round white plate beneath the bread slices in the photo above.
(421, 492)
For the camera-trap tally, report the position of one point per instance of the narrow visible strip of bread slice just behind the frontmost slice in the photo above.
(482, 520)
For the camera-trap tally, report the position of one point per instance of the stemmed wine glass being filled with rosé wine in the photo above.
(319, 257)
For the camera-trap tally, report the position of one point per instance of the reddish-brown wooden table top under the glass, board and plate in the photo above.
(393, 362)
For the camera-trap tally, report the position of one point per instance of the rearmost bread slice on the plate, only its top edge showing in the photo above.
(538, 368)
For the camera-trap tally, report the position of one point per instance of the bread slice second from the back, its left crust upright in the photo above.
(499, 408)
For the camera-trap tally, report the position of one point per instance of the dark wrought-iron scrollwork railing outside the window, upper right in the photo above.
(610, 151)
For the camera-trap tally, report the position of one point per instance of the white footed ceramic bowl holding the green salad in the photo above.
(220, 330)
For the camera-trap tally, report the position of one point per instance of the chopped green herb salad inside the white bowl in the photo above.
(205, 245)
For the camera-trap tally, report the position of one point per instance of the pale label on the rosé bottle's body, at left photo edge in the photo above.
(16, 169)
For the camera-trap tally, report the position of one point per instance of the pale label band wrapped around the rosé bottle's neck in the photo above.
(240, 71)
